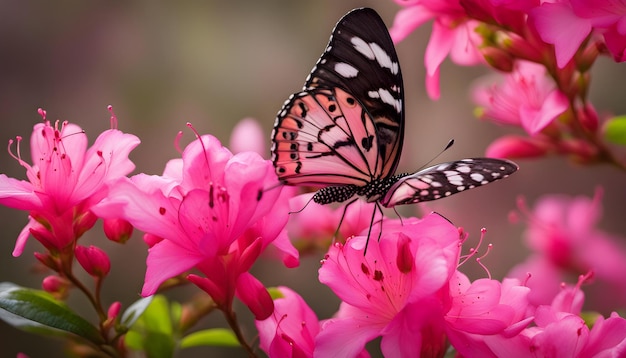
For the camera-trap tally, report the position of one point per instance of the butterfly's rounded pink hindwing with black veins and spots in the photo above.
(325, 137)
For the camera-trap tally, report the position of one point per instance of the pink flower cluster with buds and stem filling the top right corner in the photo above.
(544, 51)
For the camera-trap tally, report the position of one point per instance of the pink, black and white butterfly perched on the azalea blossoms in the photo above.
(343, 132)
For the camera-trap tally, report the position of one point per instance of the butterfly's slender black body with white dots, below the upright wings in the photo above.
(372, 191)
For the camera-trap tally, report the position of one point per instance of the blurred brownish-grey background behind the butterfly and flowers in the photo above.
(213, 63)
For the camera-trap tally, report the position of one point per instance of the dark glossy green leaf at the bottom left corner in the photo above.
(37, 311)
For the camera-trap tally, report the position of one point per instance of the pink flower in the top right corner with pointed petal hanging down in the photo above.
(567, 24)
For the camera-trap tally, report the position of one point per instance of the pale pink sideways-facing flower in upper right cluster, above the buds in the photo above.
(527, 98)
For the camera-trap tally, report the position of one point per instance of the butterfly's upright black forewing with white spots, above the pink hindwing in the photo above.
(361, 59)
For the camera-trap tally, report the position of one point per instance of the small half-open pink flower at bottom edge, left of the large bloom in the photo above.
(291, 329)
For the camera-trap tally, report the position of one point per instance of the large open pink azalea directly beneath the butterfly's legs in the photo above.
(390, 292)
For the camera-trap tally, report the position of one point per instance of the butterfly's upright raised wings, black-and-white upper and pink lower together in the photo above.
(361, 140)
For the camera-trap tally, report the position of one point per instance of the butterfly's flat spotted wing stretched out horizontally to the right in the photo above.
(445, 179)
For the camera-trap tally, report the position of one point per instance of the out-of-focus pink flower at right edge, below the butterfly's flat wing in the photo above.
(562, 232)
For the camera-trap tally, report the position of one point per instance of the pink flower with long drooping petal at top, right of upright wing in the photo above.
(453, 34)
